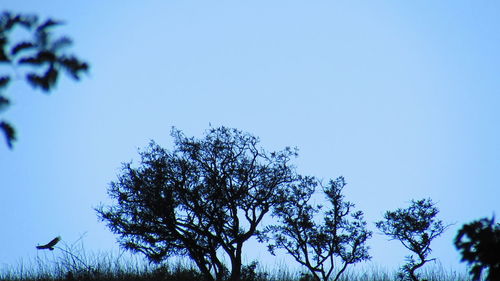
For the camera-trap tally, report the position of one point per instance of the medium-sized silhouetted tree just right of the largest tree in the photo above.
(333, 244)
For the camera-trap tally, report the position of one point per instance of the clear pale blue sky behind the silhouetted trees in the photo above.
(402, 98)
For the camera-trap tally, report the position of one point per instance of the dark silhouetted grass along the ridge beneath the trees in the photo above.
(74, 263)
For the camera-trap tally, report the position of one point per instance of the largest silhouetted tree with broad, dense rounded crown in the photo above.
(205, 197)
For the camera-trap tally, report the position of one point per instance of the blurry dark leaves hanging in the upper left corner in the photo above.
(41, 54)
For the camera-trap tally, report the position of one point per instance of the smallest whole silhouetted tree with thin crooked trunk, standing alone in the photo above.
(415, 227)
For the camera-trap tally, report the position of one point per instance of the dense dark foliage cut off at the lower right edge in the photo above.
(479, 244)
